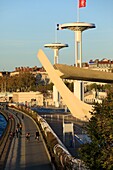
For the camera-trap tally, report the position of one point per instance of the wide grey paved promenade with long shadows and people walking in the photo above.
(28, 155)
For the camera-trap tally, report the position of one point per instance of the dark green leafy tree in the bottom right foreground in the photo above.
(98, 154)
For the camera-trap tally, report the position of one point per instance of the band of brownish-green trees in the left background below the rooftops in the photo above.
(24, 82)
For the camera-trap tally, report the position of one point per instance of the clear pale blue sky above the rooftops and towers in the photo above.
(26, 25)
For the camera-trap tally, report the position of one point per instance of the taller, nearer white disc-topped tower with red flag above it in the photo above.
(78, 28)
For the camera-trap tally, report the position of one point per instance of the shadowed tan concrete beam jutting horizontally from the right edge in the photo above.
(75, 73)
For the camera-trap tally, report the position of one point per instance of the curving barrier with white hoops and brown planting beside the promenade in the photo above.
(58, 150)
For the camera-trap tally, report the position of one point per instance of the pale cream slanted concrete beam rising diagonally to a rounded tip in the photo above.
(77, 108)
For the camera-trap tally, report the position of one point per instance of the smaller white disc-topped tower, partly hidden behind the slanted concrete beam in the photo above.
(56, 47)
